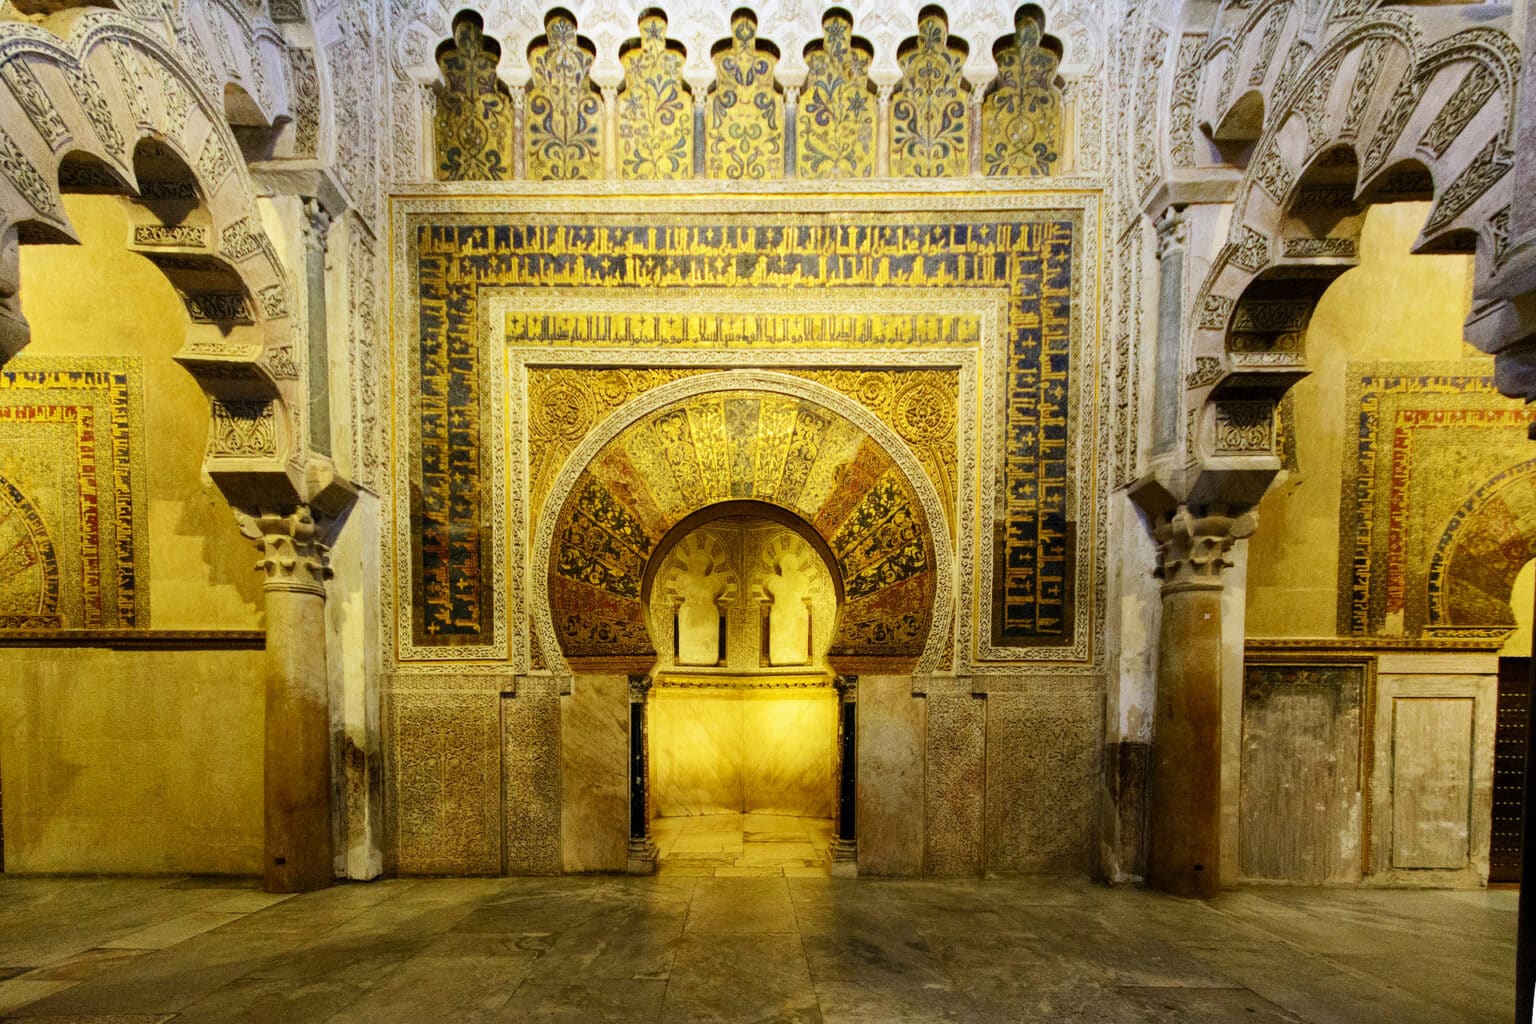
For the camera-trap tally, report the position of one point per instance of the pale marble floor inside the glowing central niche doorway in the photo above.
(744, 847)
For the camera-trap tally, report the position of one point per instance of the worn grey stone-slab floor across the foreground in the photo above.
(763, 950)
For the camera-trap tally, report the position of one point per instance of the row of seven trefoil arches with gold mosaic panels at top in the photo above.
(764, 104)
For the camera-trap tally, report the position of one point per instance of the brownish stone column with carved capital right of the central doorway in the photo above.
(1185, 854)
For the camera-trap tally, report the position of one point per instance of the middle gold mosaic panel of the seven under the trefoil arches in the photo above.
(746, 130)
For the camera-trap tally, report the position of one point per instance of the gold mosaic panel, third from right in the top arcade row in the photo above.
(835, 131)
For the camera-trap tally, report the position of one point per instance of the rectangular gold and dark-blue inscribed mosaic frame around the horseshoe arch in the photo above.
(1039, 518)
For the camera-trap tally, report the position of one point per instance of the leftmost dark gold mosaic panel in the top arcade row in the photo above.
(474, 121)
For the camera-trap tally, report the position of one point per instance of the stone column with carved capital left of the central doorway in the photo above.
(297, 764)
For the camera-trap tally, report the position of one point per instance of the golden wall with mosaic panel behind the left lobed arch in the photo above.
(128, 759)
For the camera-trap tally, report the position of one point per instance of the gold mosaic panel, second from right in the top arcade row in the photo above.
(930, 116)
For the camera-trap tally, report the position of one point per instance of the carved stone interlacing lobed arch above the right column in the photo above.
(1322, 111)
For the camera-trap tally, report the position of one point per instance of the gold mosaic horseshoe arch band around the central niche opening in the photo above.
(730, 437)
